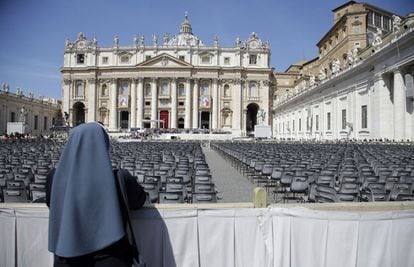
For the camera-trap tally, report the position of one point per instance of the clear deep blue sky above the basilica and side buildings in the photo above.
(33, 32)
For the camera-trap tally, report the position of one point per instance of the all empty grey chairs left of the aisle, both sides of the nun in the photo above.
(169, 172)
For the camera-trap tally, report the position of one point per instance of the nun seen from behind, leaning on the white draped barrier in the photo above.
(87, 219)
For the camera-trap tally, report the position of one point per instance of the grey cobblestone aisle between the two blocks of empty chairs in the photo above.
(231, 185)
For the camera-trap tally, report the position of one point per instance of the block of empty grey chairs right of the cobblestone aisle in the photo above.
(326, 172)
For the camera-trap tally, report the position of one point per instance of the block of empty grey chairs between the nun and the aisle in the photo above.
(170, 172)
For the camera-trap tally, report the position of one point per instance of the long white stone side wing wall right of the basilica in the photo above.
(377, 82)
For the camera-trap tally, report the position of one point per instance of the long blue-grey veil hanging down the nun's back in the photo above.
(85, 213)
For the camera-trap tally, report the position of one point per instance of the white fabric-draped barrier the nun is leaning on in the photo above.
(274, 236)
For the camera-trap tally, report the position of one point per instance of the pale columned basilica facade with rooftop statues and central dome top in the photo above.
(174, 82)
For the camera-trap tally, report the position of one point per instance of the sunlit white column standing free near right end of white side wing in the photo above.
(399, 106)
